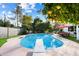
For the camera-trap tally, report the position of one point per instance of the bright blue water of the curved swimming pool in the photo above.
(49, 41)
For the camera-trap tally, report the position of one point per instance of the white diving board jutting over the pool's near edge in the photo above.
(39, 49)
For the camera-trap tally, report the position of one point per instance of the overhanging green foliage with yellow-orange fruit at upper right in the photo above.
(62, 12)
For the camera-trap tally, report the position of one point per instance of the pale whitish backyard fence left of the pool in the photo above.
(7, 32)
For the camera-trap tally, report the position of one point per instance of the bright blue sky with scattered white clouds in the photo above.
(29, 8)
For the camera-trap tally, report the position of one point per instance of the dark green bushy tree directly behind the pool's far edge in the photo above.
(40, 27)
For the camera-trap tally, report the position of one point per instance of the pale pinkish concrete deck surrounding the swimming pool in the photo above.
(13, 48)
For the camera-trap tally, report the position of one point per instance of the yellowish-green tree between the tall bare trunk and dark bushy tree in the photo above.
(26, 24)
